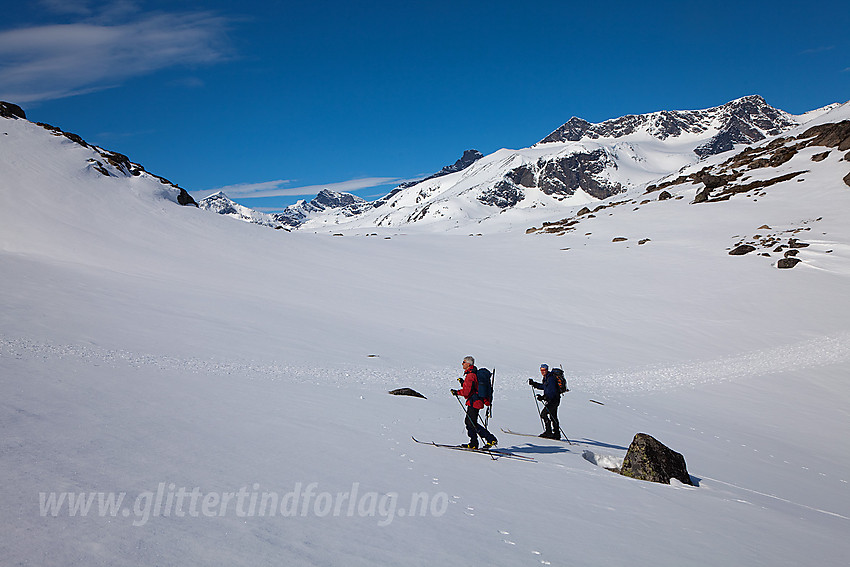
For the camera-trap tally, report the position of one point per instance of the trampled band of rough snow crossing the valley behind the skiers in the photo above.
(819, 351)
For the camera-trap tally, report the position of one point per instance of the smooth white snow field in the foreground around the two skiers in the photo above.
(200, 366)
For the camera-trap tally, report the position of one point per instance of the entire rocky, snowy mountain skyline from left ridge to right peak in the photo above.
(578, 164)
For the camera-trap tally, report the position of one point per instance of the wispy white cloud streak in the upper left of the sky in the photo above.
(57, 61)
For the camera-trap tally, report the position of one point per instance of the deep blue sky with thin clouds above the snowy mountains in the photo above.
(273, 101)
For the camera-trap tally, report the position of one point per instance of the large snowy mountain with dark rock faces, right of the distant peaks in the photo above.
(578, 163)
